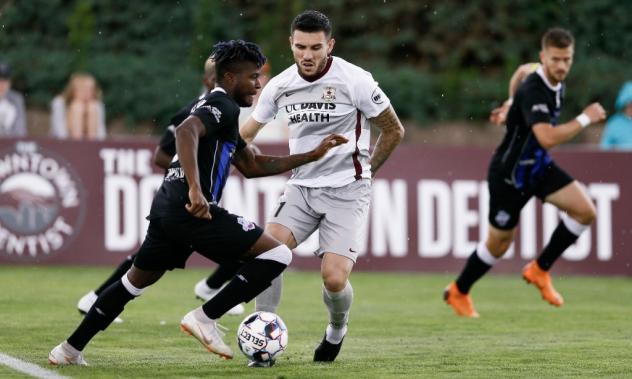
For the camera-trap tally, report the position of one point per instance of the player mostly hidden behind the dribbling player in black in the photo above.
(163, 154)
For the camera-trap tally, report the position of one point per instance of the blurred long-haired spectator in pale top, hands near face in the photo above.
(78, 112)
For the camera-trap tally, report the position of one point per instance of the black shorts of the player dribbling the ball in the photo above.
(171, 240)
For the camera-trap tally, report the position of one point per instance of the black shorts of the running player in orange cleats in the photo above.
(506, 201)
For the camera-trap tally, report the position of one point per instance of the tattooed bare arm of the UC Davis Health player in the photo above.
(391, 134)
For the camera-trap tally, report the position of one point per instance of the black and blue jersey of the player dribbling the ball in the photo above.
(220, 115)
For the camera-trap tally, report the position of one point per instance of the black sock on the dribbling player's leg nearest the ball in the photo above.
(254, 277)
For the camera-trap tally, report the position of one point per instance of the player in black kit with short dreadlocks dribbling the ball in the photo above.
(185, 217)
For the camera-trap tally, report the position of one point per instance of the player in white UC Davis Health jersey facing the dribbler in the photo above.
(322, 94)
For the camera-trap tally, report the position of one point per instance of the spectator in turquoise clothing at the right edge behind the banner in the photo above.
(618, 132)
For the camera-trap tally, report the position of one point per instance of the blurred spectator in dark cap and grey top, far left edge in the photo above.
(12, 114)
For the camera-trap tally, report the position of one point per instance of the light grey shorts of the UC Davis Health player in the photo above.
(339, 213)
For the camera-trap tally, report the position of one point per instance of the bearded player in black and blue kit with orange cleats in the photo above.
(522, 167)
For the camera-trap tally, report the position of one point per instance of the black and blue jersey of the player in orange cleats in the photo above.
(520, 159)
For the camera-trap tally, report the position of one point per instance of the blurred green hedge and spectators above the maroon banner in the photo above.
(111, 68)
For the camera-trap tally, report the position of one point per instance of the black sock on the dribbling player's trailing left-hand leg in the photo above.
(108, 306)
